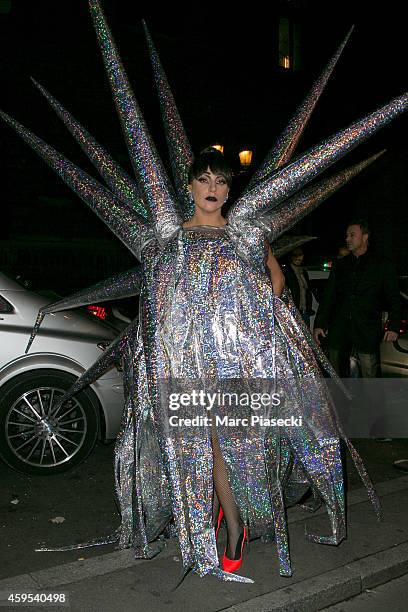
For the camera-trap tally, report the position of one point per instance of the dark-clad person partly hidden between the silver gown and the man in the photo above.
(297, 280)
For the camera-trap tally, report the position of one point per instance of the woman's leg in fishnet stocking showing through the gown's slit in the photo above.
(226, 500)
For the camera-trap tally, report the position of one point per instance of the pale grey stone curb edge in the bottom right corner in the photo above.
(334, 586)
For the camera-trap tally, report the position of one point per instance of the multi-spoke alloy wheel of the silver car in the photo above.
(36, 438)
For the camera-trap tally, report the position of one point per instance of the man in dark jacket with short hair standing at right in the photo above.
(359, 286)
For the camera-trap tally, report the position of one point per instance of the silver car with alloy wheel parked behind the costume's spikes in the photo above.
(34, 438)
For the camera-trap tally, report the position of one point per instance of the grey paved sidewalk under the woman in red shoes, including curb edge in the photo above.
(373, 553)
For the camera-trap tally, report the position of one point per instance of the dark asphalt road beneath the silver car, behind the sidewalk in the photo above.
(85, 499)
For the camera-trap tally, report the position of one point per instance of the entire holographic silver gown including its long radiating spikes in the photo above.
(208, 317)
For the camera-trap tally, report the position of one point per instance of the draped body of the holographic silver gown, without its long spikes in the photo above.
(208, 316)
